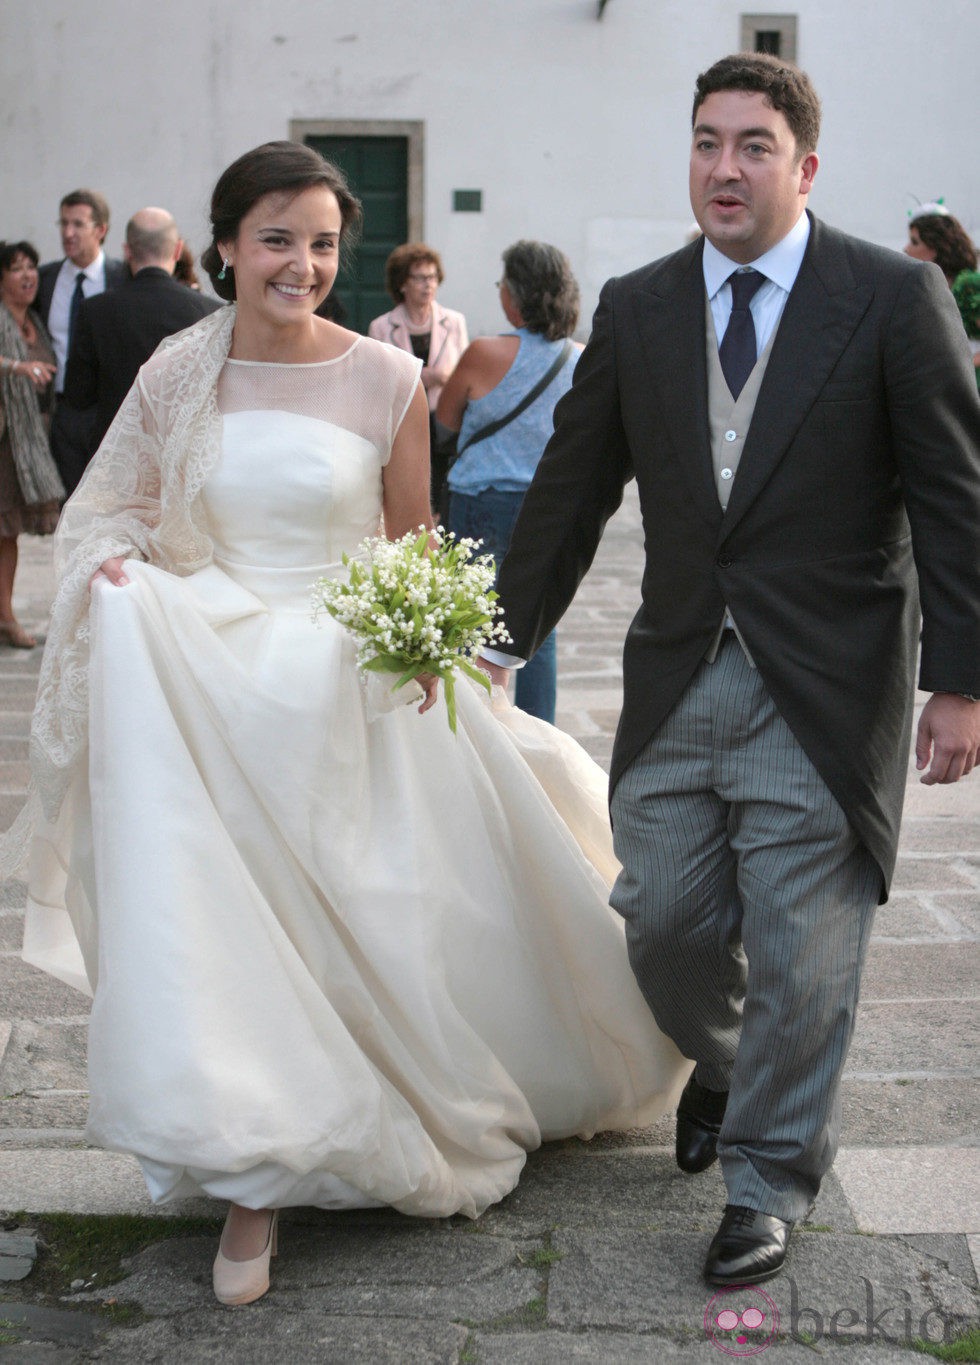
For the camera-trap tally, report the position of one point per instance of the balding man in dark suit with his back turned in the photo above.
(118, 332)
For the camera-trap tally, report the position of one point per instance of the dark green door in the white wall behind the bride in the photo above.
(377, 171)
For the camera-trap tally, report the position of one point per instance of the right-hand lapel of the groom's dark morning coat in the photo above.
(821, 316)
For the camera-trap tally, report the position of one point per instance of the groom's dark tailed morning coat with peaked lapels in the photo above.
(862, 469)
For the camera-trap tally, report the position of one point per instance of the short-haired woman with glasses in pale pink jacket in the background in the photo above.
(420, 324)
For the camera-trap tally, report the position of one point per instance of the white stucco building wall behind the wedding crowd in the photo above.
(575, 130)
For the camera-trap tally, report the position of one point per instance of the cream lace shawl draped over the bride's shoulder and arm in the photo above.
(140, 496)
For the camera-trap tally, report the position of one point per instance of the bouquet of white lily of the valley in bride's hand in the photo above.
(424, 604)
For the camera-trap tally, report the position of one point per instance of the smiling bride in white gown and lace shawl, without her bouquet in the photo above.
(339, 956)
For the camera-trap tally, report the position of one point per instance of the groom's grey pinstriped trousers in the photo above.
(749, 906)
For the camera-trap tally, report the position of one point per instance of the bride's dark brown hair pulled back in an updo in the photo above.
(285, 169)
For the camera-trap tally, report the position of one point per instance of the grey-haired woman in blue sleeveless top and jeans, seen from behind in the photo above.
(502, 401)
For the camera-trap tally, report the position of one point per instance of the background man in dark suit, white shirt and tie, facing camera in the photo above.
(84, 222)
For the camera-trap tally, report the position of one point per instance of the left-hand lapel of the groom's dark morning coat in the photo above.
(671, 323)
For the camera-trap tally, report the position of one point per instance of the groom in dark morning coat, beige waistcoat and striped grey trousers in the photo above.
(801, 414)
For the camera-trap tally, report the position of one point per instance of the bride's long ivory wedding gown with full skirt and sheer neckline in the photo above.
(343, 958)
